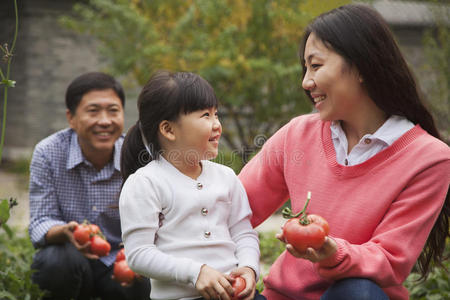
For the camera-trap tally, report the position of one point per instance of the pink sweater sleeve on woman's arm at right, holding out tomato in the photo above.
(398, 240)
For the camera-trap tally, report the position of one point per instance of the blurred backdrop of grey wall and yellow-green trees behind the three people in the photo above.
(247, 50)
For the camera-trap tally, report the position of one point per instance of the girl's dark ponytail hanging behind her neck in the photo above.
(134, 155)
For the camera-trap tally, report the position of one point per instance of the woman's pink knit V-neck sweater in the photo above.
(380, 212)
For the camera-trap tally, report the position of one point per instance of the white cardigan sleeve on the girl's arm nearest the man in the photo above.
(139, 214)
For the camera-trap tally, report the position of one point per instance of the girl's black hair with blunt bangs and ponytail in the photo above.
(165, 96)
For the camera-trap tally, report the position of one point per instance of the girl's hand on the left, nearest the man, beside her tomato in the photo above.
(212, 284)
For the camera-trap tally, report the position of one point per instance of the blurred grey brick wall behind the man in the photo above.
(48, 57)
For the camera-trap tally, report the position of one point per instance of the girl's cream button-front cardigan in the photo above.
(173, 224)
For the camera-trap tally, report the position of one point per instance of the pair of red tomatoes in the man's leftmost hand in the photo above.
(85, 232)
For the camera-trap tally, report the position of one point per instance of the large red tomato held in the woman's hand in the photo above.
(309, 235)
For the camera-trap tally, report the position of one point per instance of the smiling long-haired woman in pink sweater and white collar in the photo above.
(371, 157)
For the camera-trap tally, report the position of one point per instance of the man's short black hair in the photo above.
(90, 82)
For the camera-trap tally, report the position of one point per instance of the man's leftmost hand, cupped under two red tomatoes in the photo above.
(60, 234)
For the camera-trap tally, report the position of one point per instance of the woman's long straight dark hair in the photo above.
(362, 37)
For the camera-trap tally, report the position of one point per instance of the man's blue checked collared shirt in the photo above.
(65, 187)
